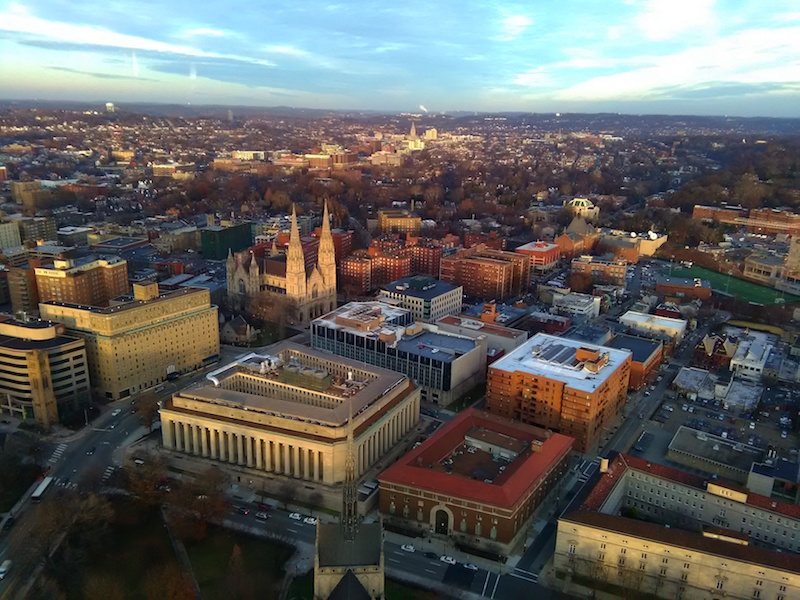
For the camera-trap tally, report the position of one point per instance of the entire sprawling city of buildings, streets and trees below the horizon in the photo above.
(311, 353)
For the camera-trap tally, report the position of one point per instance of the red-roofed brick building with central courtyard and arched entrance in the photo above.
(478, 480)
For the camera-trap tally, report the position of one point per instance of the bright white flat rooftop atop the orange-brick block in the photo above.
(556, 358)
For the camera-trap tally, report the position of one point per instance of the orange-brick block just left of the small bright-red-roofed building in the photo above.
(487, 274)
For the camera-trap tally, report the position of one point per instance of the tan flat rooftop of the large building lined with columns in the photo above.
(345, 393)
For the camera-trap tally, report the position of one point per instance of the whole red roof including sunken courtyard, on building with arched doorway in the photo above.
(446, 464)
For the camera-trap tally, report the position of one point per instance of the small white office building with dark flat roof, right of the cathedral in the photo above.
(428, 299)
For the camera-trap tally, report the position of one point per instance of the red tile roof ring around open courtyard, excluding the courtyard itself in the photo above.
(508, 489)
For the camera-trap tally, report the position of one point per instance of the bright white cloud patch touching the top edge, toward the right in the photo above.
(665, 19)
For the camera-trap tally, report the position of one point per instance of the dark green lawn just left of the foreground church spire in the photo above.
(227, 564)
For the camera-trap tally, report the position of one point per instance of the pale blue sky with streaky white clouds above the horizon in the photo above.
(704, 57)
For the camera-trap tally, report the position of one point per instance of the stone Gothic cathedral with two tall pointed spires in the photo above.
(312, 293)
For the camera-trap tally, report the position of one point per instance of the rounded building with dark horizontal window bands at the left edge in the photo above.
(43, 372)
